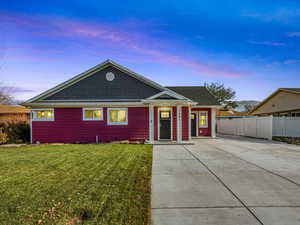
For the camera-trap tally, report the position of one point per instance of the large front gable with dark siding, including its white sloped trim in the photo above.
(92, 84)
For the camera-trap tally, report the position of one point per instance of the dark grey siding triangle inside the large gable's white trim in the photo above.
(97, 87)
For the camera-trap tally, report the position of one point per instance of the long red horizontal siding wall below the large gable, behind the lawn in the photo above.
(69, 127)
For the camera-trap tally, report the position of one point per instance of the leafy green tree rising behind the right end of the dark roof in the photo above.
(224, 95)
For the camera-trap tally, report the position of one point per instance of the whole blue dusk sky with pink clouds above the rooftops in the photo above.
(251, 46)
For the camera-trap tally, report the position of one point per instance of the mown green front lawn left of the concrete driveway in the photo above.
(105, 184)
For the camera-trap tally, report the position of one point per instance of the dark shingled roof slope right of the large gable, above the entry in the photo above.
(196, 93)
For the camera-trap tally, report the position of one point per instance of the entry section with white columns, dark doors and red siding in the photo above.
(180, 123)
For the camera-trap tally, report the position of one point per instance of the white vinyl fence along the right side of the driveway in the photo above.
(260, 127)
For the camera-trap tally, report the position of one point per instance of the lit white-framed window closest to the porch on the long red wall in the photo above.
(117, 116)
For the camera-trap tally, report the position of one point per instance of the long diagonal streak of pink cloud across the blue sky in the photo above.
(118, 38)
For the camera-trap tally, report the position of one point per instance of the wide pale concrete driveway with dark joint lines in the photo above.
(226, 181)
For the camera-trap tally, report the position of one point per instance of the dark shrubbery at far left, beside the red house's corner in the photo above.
(17, 132)
